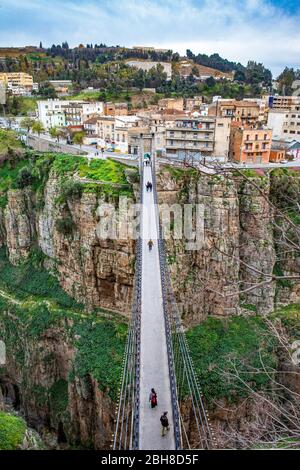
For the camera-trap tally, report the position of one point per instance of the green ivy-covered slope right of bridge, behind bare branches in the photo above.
(230, 354)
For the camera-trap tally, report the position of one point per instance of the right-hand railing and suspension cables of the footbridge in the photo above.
(191, 421)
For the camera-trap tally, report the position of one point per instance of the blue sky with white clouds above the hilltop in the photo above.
(263, 30)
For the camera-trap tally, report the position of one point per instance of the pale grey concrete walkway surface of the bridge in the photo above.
(154, 359)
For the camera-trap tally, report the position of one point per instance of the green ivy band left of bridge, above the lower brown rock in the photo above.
(36, 303)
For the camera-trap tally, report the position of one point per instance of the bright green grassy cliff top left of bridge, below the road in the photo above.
(22, 168)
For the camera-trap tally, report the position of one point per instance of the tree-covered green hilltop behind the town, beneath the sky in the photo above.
(105, 69)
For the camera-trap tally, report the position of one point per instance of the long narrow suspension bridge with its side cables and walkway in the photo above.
(157, 354)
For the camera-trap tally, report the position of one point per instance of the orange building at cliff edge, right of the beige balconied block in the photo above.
(249, 144)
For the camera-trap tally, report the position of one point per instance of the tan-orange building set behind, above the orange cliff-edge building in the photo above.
(245, 112)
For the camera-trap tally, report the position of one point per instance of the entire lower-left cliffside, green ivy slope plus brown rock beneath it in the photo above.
(63, 364)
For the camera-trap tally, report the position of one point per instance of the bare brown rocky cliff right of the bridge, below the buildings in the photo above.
(238, 249)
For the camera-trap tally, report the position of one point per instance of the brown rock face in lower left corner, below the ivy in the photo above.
(81, 415)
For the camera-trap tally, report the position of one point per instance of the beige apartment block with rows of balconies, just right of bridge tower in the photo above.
(198, 137)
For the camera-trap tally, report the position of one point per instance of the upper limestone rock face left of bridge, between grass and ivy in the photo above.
(93, 270)
